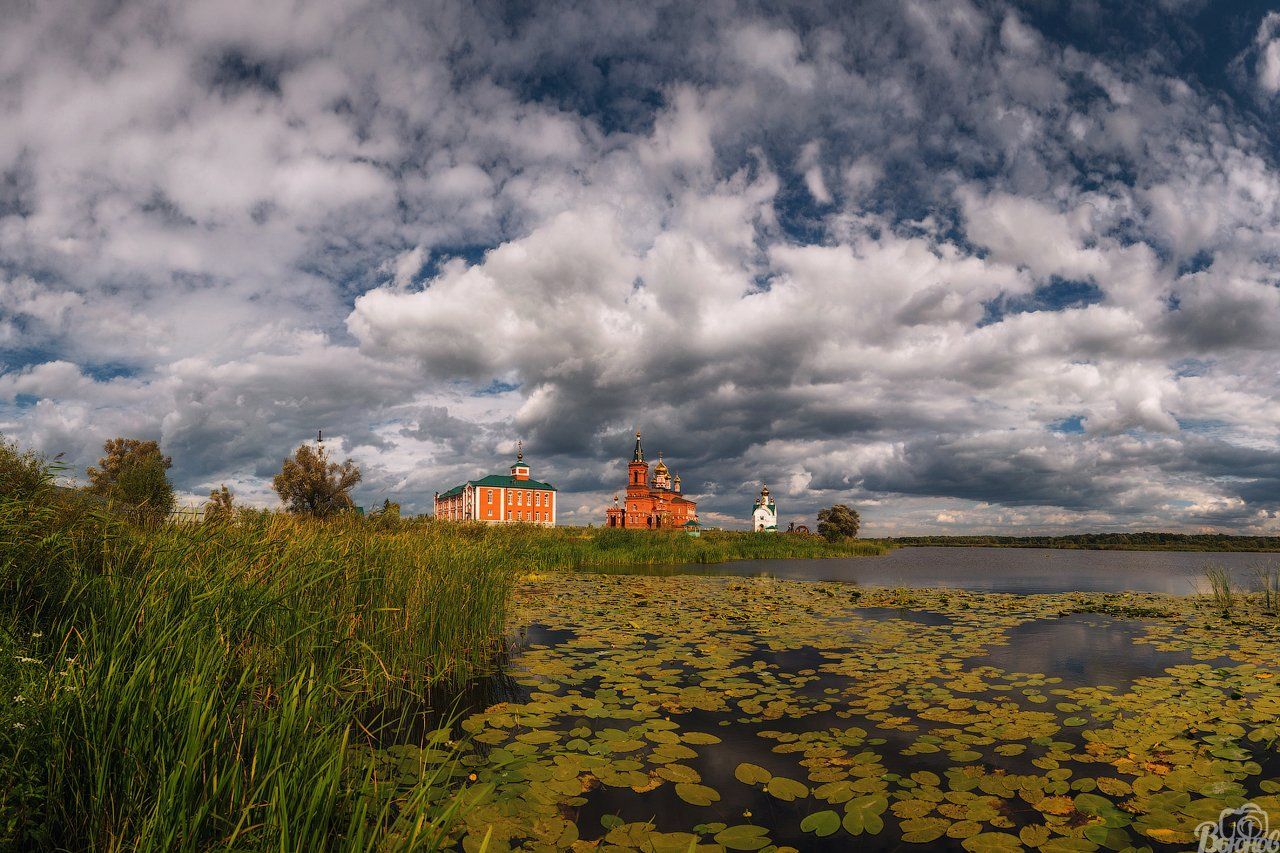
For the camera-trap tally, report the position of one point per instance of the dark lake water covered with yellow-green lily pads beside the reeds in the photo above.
(936, 701)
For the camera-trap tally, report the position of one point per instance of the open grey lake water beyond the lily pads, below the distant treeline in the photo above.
(1003, 571)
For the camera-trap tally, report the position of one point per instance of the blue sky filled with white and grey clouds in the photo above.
(967, 267)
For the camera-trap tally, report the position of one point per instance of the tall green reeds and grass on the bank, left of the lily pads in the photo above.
(194, 687)
